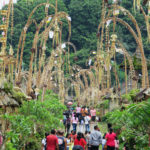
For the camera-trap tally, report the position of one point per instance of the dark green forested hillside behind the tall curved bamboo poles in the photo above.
(86, 16)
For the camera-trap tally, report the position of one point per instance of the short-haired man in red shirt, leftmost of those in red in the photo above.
(52, 141)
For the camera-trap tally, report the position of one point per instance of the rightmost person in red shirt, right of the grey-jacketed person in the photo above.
(110, 138)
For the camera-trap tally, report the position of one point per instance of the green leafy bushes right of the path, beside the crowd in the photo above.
(132, 124)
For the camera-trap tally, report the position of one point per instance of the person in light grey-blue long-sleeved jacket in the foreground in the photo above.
(95, 138)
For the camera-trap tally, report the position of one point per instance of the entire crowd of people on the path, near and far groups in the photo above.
(84, 139)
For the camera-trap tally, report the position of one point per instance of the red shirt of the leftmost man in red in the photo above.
(52, 140)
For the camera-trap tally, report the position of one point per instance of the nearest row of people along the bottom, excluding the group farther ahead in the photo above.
(88, 141)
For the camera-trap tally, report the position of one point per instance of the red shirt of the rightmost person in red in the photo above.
(110, 139)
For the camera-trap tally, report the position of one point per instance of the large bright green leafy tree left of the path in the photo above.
(33, 120)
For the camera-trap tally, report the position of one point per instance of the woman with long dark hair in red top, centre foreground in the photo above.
(80, 140)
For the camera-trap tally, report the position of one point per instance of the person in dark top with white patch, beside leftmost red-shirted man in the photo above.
(62, 142)
